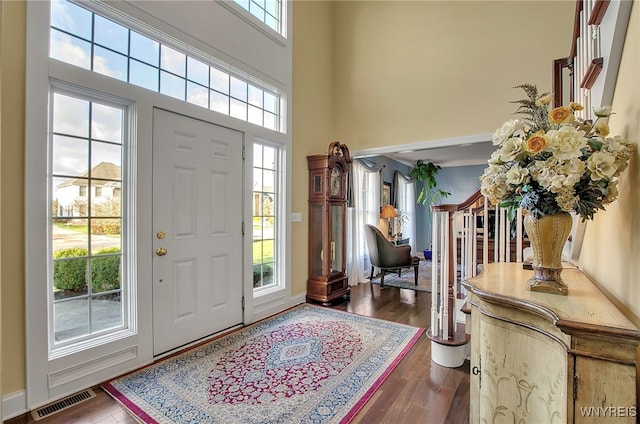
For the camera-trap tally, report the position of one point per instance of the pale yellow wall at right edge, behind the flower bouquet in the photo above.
(612, 241)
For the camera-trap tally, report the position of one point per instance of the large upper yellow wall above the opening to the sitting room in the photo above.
(426, 70)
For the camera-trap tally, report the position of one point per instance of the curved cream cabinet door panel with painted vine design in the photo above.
(523, 375)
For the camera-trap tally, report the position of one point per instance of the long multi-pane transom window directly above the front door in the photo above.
(85, 39)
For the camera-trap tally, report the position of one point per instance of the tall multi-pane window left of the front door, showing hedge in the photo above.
(87, 285)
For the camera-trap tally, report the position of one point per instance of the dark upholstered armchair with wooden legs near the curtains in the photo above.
(387, 256)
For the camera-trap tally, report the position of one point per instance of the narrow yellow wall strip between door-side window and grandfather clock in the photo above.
(312, 115)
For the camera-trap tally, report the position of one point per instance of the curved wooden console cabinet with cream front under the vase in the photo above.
(543, 358)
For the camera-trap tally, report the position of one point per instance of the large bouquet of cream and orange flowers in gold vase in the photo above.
(551, 162)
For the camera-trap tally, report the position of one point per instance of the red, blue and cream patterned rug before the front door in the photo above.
(306, 365)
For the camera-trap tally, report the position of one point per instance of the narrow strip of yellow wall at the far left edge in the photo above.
(12, 280)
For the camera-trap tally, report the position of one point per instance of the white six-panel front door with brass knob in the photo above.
(197, 229)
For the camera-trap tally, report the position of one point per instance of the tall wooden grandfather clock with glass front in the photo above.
(328, 176)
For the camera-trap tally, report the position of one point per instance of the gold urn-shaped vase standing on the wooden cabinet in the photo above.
(548, 236)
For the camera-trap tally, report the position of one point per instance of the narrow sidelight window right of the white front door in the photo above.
(265, 167)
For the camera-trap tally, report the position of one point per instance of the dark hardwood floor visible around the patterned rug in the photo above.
(417, 391)
